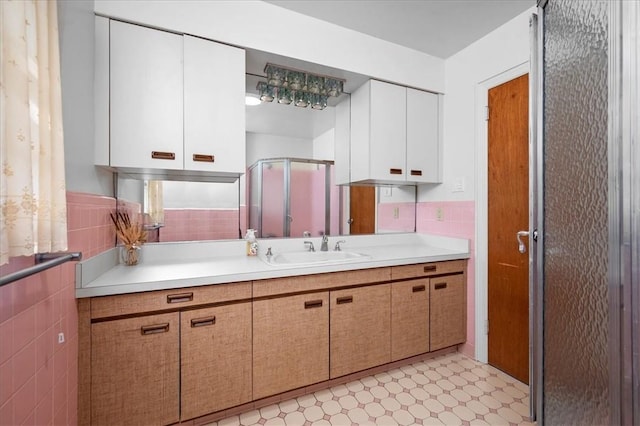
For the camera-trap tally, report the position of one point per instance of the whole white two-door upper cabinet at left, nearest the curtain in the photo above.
(170, 102)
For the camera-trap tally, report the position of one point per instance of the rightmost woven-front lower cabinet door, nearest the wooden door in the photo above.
(448, 317)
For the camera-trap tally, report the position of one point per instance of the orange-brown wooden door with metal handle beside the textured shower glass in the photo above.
(508, 210)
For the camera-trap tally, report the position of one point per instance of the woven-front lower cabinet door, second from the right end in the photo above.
(409, 318)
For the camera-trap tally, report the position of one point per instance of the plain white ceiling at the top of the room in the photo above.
(436, 27)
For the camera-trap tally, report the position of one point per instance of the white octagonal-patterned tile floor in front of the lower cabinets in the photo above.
(450, 389)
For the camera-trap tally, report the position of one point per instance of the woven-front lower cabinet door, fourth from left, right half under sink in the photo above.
(360, 334)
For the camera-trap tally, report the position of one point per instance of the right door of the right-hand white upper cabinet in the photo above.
(423, 141)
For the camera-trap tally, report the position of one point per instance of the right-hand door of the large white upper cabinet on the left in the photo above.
(214, 110)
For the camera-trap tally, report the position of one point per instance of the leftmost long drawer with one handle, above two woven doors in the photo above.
(136, 303)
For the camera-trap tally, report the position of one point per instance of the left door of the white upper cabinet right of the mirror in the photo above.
(388, 131)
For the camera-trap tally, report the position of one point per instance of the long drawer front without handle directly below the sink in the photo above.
(277, 286)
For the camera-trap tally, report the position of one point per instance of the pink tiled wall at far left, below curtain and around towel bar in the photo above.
(39, 376)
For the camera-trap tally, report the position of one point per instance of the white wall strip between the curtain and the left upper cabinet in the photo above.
(76, 27)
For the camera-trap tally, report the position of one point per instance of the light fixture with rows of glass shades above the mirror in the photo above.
(300, 88)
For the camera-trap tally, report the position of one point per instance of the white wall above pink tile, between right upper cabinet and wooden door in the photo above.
(497, 52)
